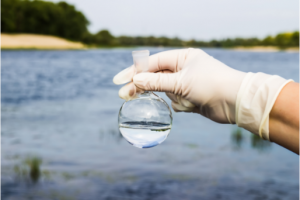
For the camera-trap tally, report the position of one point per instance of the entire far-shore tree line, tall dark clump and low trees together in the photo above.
(64, 20)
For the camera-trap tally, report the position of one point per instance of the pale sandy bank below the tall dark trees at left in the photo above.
(35, 41)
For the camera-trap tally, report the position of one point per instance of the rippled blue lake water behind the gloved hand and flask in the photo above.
(60, 137)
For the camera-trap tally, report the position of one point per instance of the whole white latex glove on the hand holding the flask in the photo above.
(196, 82)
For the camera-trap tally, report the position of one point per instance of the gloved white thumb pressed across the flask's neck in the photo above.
(162, 82)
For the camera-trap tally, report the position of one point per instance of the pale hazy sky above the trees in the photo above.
(191, 19)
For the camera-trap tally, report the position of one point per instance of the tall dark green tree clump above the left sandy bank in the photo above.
(40, 17)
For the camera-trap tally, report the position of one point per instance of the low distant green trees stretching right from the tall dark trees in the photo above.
(282, 40)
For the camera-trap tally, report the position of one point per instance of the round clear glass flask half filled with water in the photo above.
(145, 121)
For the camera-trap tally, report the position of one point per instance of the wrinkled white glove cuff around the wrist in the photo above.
(255, 99)
